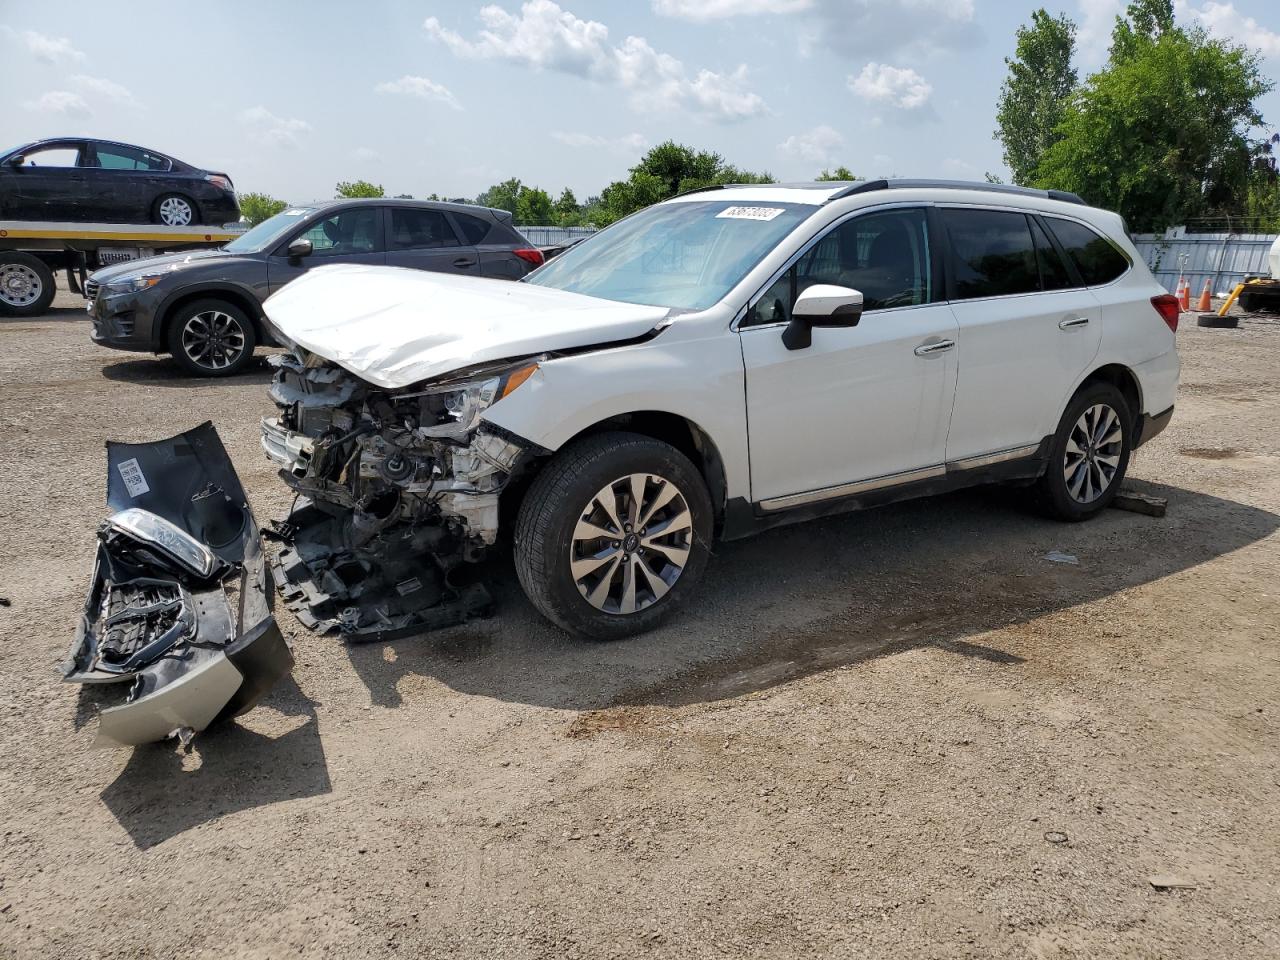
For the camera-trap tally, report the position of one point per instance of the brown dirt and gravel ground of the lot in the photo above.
(904, 733)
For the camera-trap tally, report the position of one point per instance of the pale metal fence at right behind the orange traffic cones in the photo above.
(1226, 259)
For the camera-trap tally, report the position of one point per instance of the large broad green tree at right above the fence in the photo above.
(1163, 132)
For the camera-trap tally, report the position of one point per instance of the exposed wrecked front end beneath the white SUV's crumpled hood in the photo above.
(397, 492)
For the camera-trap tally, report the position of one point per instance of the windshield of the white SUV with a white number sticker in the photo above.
(674, 255)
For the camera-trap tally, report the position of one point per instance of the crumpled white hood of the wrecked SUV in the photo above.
(395, 327)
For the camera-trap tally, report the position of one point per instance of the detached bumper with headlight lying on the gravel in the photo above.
(180, 607)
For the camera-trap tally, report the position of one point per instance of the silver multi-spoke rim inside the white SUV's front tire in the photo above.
(632, 543)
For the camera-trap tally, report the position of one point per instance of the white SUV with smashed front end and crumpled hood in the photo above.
(723, 363)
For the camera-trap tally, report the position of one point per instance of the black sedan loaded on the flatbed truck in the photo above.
(83, 181)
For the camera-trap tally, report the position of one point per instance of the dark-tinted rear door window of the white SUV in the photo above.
(994, 253)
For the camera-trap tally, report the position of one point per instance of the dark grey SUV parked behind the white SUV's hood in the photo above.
(205, 308)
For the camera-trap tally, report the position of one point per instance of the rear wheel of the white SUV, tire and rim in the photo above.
(1090, 455)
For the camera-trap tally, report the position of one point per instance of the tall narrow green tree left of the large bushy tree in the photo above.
(1036, 93)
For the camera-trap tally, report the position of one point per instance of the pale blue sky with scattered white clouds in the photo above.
(451, 98)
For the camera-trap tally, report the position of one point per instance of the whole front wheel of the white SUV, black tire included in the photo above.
(612, 536)
